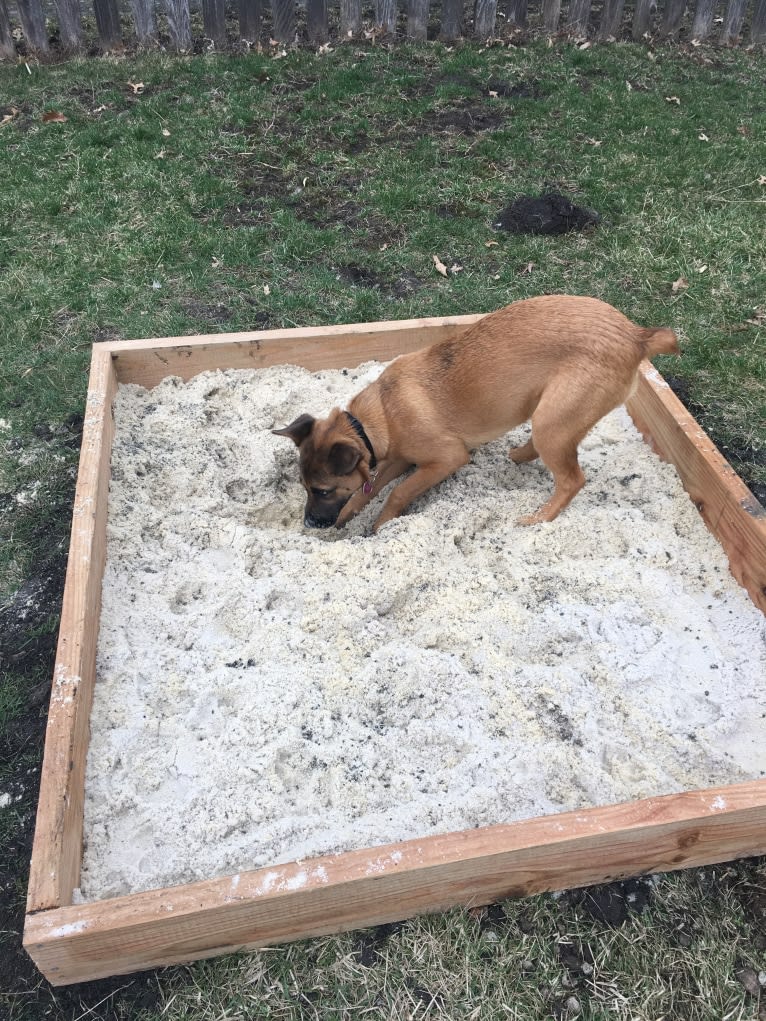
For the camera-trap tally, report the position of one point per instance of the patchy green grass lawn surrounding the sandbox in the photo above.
(218, 193)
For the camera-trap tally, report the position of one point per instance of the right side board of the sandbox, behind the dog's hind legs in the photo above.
(728, 507)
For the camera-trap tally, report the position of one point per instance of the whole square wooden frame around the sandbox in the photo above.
(76, 943)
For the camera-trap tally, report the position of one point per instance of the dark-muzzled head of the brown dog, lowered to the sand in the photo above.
(334, 464)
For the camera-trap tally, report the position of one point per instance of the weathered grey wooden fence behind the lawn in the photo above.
(149, 23)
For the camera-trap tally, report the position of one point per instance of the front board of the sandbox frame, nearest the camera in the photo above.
(369, 888)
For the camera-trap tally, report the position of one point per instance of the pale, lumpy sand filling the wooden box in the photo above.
(267, 694)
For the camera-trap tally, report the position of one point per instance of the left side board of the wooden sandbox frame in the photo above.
(59, 833)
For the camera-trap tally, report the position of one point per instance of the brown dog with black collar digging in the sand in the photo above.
(564, 362)
